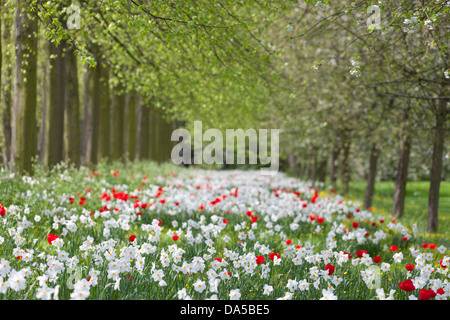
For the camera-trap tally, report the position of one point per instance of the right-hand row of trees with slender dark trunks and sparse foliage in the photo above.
(362, 93)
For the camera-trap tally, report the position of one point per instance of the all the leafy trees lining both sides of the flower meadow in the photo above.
(352, 98)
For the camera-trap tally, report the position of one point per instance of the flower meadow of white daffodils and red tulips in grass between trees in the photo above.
(147, 231)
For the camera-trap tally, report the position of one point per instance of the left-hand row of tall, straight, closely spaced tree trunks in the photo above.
(54, 109)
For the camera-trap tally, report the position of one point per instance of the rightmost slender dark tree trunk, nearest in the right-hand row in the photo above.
(436, 167)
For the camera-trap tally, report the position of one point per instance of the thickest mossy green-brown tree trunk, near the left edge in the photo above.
(24, 141)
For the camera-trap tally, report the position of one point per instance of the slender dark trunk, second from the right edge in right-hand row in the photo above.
(402, 176)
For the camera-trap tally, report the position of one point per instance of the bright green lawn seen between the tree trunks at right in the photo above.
(416, 202)
